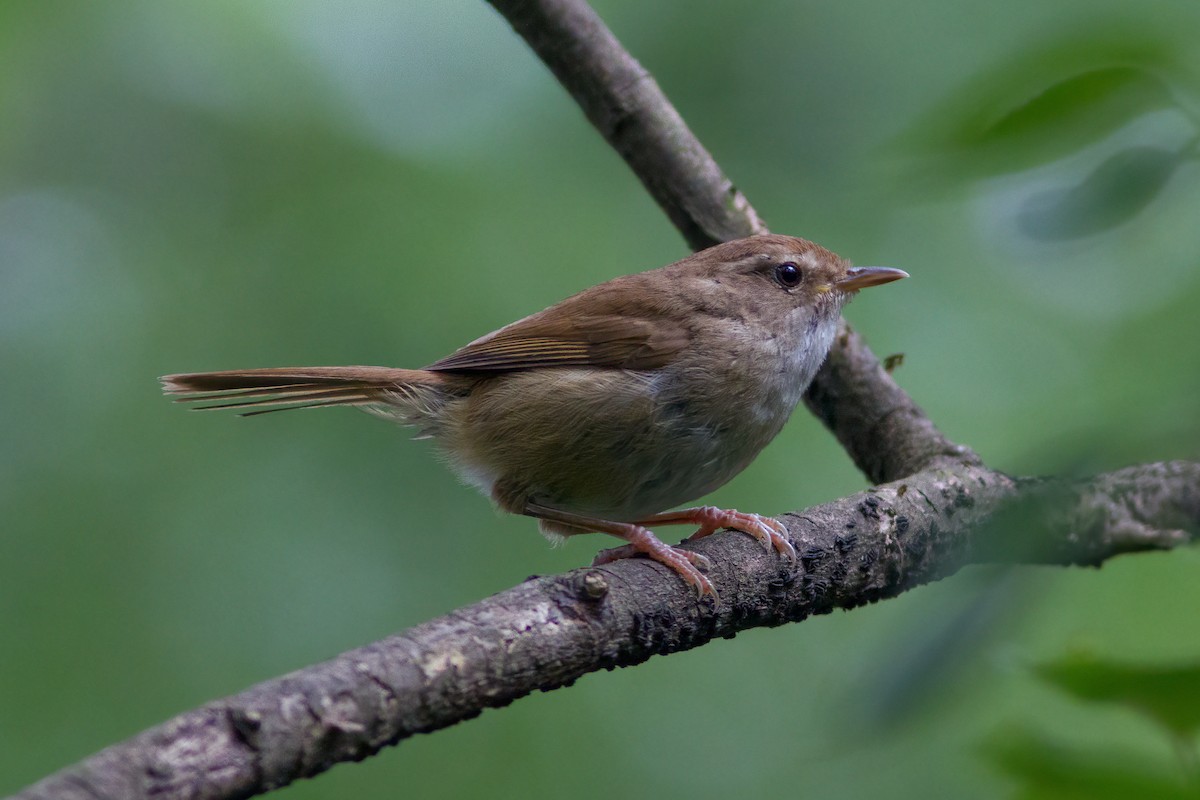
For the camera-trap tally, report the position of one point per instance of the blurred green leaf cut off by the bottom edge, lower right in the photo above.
(1048, 771)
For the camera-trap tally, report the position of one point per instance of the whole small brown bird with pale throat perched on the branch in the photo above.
(604, 411)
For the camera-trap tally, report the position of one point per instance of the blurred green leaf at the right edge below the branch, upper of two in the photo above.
(1168, 695)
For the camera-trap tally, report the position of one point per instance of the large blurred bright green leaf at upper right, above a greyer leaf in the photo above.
(1042, 106)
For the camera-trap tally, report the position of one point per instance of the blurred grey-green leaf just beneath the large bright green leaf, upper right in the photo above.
(1117, 191)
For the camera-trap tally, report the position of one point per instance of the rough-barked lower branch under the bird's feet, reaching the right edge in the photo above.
(550, 631)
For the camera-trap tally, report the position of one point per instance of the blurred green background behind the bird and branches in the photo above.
(221, 185)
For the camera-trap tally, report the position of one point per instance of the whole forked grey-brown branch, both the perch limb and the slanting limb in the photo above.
(547, 633)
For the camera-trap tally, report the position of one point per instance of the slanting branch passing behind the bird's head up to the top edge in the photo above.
(883, 430)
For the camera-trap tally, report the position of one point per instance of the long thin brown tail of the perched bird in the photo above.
(410, 395)
